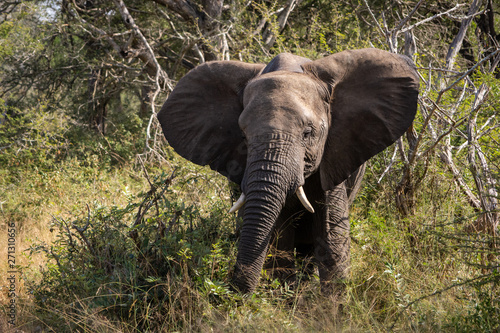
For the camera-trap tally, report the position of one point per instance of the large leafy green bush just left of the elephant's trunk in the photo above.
(95, 265)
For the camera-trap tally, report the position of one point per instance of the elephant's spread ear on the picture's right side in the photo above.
(373, 102)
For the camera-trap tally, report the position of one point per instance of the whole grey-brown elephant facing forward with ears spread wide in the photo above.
(294, 122)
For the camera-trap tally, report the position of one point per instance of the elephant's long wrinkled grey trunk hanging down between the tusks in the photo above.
(270, 178)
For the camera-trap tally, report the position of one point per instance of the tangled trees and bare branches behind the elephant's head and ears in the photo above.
(100, 50)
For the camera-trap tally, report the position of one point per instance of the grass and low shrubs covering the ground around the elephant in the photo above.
(113, 243)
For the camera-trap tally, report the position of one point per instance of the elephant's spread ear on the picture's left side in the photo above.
(200, 117)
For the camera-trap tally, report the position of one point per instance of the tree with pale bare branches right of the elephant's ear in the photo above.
(459, 109)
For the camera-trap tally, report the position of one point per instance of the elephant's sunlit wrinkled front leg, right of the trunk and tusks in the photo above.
(332, 243)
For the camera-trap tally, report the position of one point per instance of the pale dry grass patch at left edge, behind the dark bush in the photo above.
(35, 198)
